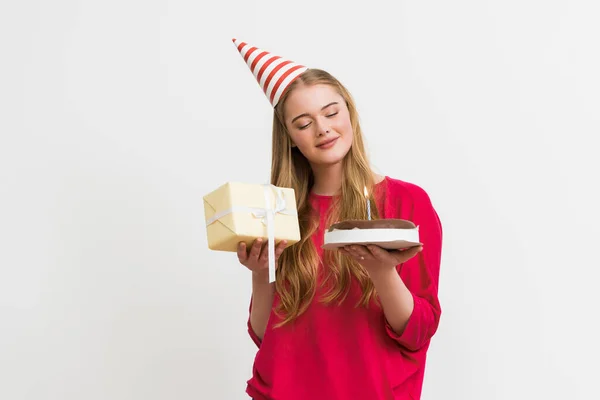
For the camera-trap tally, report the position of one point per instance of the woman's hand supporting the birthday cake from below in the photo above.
(376, 259)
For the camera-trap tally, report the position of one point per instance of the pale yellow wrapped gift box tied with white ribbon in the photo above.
(242, 212)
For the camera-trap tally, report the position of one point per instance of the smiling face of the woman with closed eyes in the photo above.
(318, 122)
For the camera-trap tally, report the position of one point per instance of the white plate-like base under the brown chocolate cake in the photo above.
(391, 239)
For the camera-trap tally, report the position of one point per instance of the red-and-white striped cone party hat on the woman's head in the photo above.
(273, 73)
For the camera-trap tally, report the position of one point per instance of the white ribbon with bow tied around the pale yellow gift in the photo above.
(267, 216)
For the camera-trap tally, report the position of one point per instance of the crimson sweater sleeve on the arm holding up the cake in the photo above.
(421, 276)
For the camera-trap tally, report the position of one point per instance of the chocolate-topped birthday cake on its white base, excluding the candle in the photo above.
(391, 234)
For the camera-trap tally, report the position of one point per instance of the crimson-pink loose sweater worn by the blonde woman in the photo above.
(342, 352)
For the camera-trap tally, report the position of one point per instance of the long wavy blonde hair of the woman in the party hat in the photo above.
(299, 263)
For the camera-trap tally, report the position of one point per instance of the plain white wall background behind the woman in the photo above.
(116, 117)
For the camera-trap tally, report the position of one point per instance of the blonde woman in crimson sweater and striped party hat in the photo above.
(354, 323)
